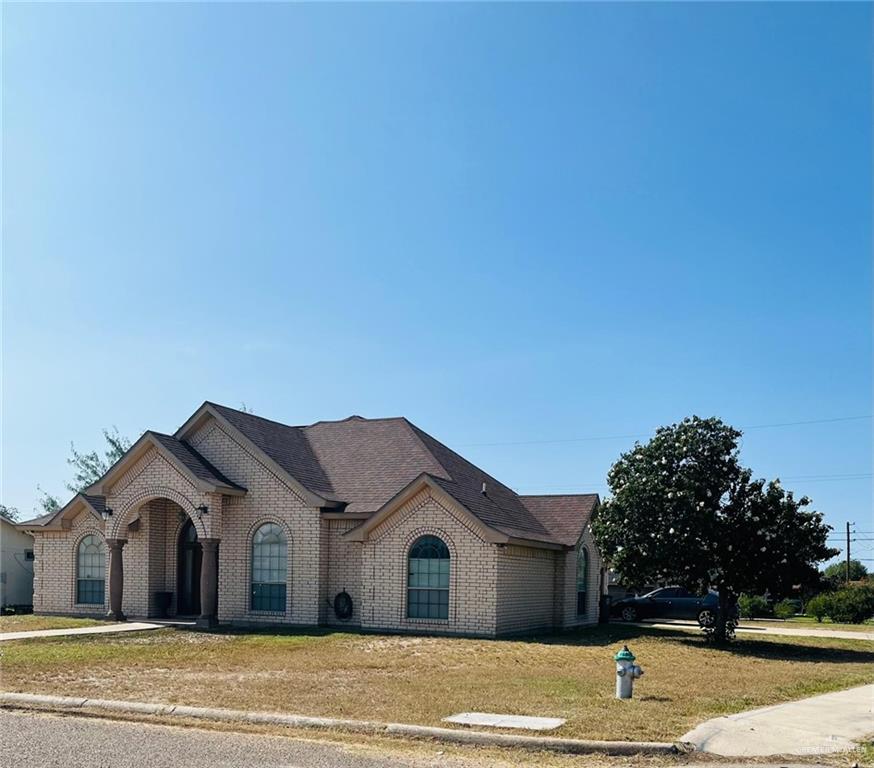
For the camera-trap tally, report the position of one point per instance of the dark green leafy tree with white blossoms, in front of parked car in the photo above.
(683, 510)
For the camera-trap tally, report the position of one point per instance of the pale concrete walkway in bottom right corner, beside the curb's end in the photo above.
(833, 722)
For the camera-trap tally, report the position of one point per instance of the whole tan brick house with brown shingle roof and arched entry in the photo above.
(364, 522)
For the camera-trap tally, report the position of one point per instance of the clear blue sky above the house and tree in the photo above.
(510, 223)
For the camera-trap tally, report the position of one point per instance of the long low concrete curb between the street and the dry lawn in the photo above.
(449, 735)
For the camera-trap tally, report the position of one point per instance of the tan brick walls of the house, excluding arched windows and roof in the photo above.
(495, 589)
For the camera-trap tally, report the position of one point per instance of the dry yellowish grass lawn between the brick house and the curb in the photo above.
(421, 680)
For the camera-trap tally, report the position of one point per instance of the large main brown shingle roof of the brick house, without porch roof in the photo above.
(366, 462)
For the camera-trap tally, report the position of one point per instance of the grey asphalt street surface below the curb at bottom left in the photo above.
(45, 741)
